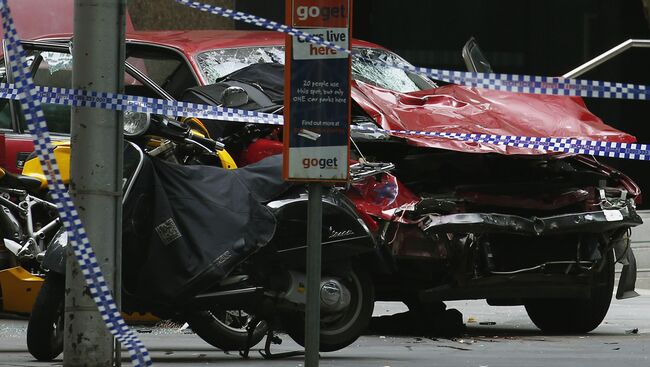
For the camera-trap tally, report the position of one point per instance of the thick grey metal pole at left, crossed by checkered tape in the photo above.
(96, 174)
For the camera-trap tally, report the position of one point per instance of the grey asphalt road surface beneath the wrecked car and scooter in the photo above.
(495, 336)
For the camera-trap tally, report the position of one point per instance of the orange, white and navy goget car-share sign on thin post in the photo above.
(317, 101)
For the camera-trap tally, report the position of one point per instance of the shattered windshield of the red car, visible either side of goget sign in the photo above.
(216, 64)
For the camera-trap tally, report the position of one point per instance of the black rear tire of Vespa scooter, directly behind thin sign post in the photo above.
(340, 333)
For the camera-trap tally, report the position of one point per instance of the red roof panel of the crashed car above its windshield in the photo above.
(196, 41)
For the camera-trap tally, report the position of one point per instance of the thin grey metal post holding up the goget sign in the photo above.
(312, 311)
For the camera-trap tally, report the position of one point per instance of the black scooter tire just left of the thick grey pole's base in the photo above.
(45, 327)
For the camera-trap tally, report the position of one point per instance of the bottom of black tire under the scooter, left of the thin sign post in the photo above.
(225, 330)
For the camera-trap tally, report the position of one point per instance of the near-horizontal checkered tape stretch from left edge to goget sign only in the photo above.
(123, 102)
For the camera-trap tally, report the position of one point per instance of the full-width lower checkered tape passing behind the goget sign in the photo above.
(124, 102)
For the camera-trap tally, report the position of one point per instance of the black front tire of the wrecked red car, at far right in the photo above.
(575, 316)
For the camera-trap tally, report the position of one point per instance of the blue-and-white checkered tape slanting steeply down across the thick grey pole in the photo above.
(31, 106)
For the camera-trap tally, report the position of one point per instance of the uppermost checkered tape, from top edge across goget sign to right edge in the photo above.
(502, 82)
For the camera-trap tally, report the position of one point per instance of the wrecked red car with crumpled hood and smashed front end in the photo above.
(453, 219)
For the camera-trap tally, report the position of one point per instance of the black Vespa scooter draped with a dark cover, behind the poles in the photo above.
(221, 249)
